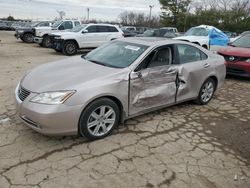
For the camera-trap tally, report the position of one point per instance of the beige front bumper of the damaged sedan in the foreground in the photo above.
(54, 120)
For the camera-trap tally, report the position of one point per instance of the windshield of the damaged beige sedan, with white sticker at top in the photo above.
(117, 54)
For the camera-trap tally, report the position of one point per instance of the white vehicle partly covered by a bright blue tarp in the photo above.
(205, 36)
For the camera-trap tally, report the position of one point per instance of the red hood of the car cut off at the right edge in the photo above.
(235, 51)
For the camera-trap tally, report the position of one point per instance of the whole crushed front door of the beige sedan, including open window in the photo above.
(153, 82)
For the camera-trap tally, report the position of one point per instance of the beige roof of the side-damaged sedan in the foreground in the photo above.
(151, 41)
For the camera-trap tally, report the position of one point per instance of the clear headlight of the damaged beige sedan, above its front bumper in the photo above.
(57, 97)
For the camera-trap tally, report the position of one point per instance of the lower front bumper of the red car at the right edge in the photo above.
(238, 69)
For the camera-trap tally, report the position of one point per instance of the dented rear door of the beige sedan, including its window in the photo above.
(194, 68)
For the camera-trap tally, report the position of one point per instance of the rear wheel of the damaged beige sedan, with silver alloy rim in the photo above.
(206, 92)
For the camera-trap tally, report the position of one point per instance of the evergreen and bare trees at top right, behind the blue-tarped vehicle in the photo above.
(233, 15)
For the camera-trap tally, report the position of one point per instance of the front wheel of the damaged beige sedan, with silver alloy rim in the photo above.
(99, 119)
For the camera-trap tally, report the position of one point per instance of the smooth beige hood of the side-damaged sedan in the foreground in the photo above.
(67, 74)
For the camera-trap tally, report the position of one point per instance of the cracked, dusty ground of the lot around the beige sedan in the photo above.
(182, 146)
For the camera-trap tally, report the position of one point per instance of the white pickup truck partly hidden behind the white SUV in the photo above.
(42, 33)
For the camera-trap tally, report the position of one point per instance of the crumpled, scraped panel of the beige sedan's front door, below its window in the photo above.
(151, 88)
